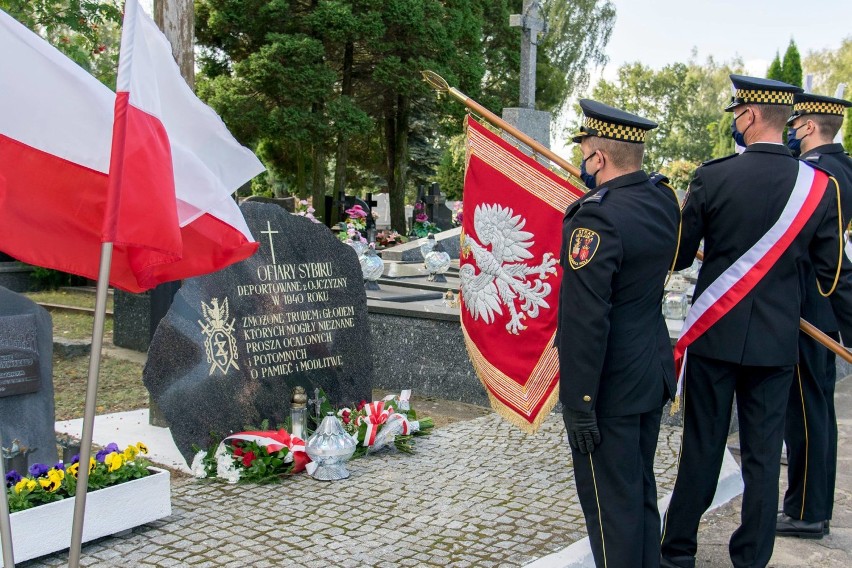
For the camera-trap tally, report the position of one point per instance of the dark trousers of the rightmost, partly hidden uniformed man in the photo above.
(811, 434)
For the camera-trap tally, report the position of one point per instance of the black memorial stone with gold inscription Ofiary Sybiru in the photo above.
(236, 342)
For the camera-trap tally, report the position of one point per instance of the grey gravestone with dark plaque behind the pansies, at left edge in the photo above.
(26, 377)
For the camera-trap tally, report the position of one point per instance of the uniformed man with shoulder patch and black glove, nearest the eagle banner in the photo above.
(615, 359)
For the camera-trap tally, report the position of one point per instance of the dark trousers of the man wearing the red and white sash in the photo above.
(708, 391)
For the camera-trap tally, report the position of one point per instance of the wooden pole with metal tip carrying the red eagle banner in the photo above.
(440, 84)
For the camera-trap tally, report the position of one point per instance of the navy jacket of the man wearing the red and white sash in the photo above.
(731, 203)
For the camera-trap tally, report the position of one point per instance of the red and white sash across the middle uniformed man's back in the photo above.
(743, 275)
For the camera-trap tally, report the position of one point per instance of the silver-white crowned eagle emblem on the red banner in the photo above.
(503, 276)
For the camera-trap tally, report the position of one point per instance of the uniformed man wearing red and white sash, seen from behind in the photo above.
(759, 213)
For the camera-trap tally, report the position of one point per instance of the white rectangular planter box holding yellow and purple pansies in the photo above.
(47, 528)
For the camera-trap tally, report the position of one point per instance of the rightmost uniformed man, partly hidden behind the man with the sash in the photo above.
(810, 430)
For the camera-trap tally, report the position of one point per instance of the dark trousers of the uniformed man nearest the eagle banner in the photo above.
(618, 491)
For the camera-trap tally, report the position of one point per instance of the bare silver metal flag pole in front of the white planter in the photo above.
(89, 413)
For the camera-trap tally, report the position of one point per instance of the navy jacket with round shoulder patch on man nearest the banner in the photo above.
(615, 355)
